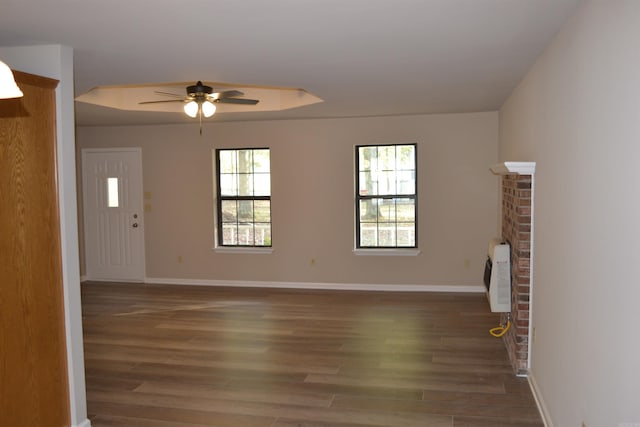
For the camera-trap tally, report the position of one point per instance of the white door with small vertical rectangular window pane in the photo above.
(113, 222)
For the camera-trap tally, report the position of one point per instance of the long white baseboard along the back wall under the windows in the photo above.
(311, 285)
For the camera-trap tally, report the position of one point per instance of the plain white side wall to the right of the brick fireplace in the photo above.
(577, 114)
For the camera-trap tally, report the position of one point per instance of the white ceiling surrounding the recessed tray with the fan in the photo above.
(363, 57)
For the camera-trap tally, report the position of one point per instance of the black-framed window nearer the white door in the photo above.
(244, 197)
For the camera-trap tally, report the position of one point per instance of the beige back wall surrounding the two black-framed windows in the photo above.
(312, 197)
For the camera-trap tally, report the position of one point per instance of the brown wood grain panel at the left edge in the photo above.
(33, 390)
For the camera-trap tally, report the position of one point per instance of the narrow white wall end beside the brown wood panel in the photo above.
(56, 62)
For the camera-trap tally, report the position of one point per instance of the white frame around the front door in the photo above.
(140, 275)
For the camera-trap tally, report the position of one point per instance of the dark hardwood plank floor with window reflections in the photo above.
(181, 356)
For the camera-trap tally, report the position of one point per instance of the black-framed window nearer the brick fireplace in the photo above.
(386, 196)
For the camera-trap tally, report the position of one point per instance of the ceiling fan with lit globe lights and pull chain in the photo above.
(200, 100)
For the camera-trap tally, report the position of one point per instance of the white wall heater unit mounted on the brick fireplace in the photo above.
(497, 276)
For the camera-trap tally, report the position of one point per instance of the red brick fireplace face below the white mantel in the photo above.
(516, 230)
